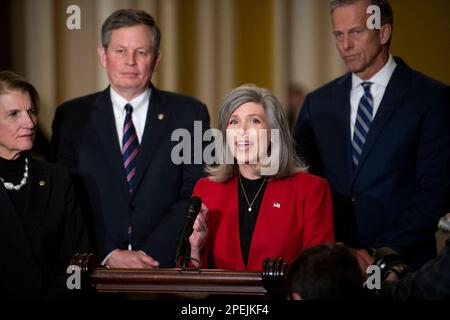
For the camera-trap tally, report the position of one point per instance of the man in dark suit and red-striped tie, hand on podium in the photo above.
(118, 142)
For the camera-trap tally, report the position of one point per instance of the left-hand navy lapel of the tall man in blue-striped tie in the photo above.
(341, 107)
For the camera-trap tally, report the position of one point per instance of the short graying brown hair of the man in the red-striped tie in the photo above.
(129, 18)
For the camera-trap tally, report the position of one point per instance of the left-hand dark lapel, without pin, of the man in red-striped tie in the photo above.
(104, 125)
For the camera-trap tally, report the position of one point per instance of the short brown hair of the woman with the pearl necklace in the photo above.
(9, 81)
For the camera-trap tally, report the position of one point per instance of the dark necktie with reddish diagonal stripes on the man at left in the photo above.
(130, 147)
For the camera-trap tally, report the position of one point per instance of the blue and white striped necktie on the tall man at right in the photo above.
(363, 121)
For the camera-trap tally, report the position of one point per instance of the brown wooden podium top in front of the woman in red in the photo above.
(184, 283)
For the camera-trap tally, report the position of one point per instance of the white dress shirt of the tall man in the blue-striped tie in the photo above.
(379, 83)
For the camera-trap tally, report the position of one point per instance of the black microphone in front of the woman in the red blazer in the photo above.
(183, 246)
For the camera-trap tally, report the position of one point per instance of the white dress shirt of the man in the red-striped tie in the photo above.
(140, 106)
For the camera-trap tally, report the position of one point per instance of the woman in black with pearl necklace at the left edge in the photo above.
(40, 221)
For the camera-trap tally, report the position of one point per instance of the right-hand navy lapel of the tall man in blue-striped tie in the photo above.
(391, 101)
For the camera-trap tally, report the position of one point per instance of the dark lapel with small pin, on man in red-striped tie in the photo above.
(158, 117)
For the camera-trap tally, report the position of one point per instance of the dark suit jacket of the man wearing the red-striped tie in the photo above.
(85, 139)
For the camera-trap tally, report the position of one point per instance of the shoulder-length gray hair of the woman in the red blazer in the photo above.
(289, 163)
